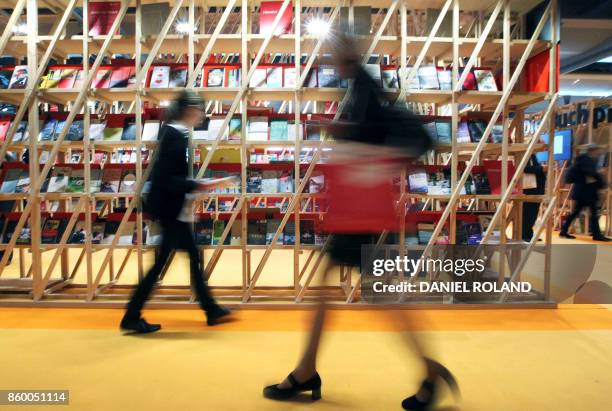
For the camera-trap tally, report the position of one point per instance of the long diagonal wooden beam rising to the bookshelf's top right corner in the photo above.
(475, 155)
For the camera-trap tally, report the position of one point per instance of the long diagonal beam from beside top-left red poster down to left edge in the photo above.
(35, 189)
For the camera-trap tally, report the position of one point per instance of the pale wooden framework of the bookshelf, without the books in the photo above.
(481, 33)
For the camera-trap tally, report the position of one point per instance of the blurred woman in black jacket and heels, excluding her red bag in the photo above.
(364, 136)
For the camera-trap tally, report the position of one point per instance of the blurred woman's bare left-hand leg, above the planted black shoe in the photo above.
(306, 367)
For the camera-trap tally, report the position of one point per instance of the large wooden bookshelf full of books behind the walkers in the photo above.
(267, 83)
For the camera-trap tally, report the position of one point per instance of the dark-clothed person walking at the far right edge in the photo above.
(586, 182)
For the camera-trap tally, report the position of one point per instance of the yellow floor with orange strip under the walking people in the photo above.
(504, 359)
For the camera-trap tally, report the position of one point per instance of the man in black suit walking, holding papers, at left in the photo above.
(165, 201)
